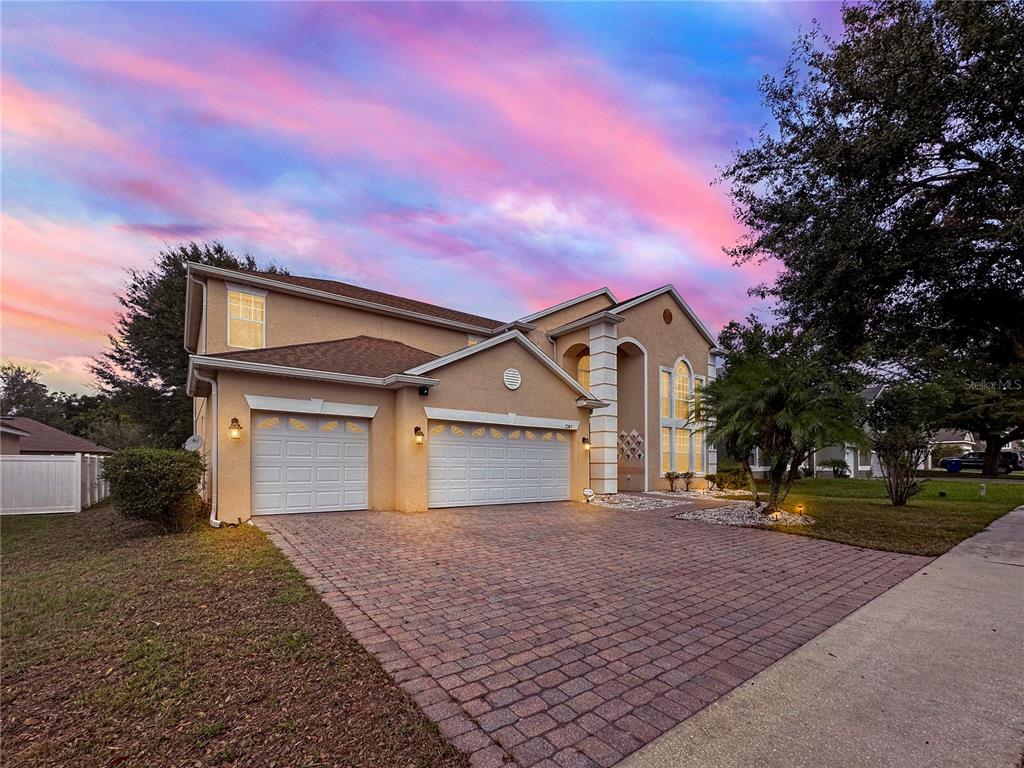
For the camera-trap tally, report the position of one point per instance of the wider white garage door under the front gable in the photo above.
(486, 464)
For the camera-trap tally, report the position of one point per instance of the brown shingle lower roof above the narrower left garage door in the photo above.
(361, 356)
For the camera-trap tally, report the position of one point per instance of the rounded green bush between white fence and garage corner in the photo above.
(157, 485)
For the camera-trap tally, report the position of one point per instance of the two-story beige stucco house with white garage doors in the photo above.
(315, 396)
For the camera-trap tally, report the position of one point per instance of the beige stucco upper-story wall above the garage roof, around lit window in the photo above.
(293, 320)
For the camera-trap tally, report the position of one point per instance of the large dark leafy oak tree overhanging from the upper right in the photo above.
(891, 191)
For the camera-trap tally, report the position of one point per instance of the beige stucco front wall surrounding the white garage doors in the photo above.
(398, 465)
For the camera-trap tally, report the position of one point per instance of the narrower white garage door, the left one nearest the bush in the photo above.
(305, 463)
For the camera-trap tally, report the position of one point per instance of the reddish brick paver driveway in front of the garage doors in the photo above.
(568, 635)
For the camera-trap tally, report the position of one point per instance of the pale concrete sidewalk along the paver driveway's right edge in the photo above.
(929, 674)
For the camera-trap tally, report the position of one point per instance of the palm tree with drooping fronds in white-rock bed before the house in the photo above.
(785, 405)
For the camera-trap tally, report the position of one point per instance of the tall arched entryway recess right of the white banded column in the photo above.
(632, 406)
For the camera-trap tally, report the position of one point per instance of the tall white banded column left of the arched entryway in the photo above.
(605, 421)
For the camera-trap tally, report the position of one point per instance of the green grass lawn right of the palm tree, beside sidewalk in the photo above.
(858, 513)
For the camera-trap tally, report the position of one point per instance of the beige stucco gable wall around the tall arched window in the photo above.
(665, 344)
